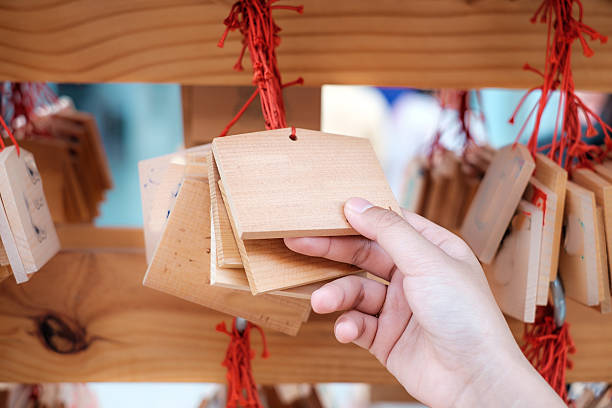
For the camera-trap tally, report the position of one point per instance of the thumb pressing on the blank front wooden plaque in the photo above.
(408, 249)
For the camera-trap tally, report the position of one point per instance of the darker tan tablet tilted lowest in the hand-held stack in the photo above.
(181, 267)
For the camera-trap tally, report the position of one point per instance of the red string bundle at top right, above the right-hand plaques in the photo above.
(568, 147)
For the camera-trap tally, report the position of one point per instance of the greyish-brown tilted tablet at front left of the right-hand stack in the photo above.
(496, 200)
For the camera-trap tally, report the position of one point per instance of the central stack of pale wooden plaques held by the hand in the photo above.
(215, 223)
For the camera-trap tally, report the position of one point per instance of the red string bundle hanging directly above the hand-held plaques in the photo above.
(253, 18)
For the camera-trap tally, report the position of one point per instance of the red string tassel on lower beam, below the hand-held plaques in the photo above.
(241, 387)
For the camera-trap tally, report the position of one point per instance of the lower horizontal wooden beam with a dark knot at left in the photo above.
(86, 317)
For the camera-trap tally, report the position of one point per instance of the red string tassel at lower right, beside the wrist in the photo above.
(547, 348)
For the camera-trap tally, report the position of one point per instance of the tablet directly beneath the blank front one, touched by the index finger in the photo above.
(270, 265)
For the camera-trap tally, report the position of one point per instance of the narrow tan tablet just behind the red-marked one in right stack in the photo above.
(553, 177)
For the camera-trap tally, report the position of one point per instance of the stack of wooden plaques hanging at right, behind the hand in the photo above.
(525, 222)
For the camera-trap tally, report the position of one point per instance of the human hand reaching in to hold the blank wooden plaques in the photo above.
(436, 326)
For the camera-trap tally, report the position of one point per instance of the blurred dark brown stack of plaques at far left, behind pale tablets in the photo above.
(72, 162)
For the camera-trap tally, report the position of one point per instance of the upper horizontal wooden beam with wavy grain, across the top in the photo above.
(419, 43)
